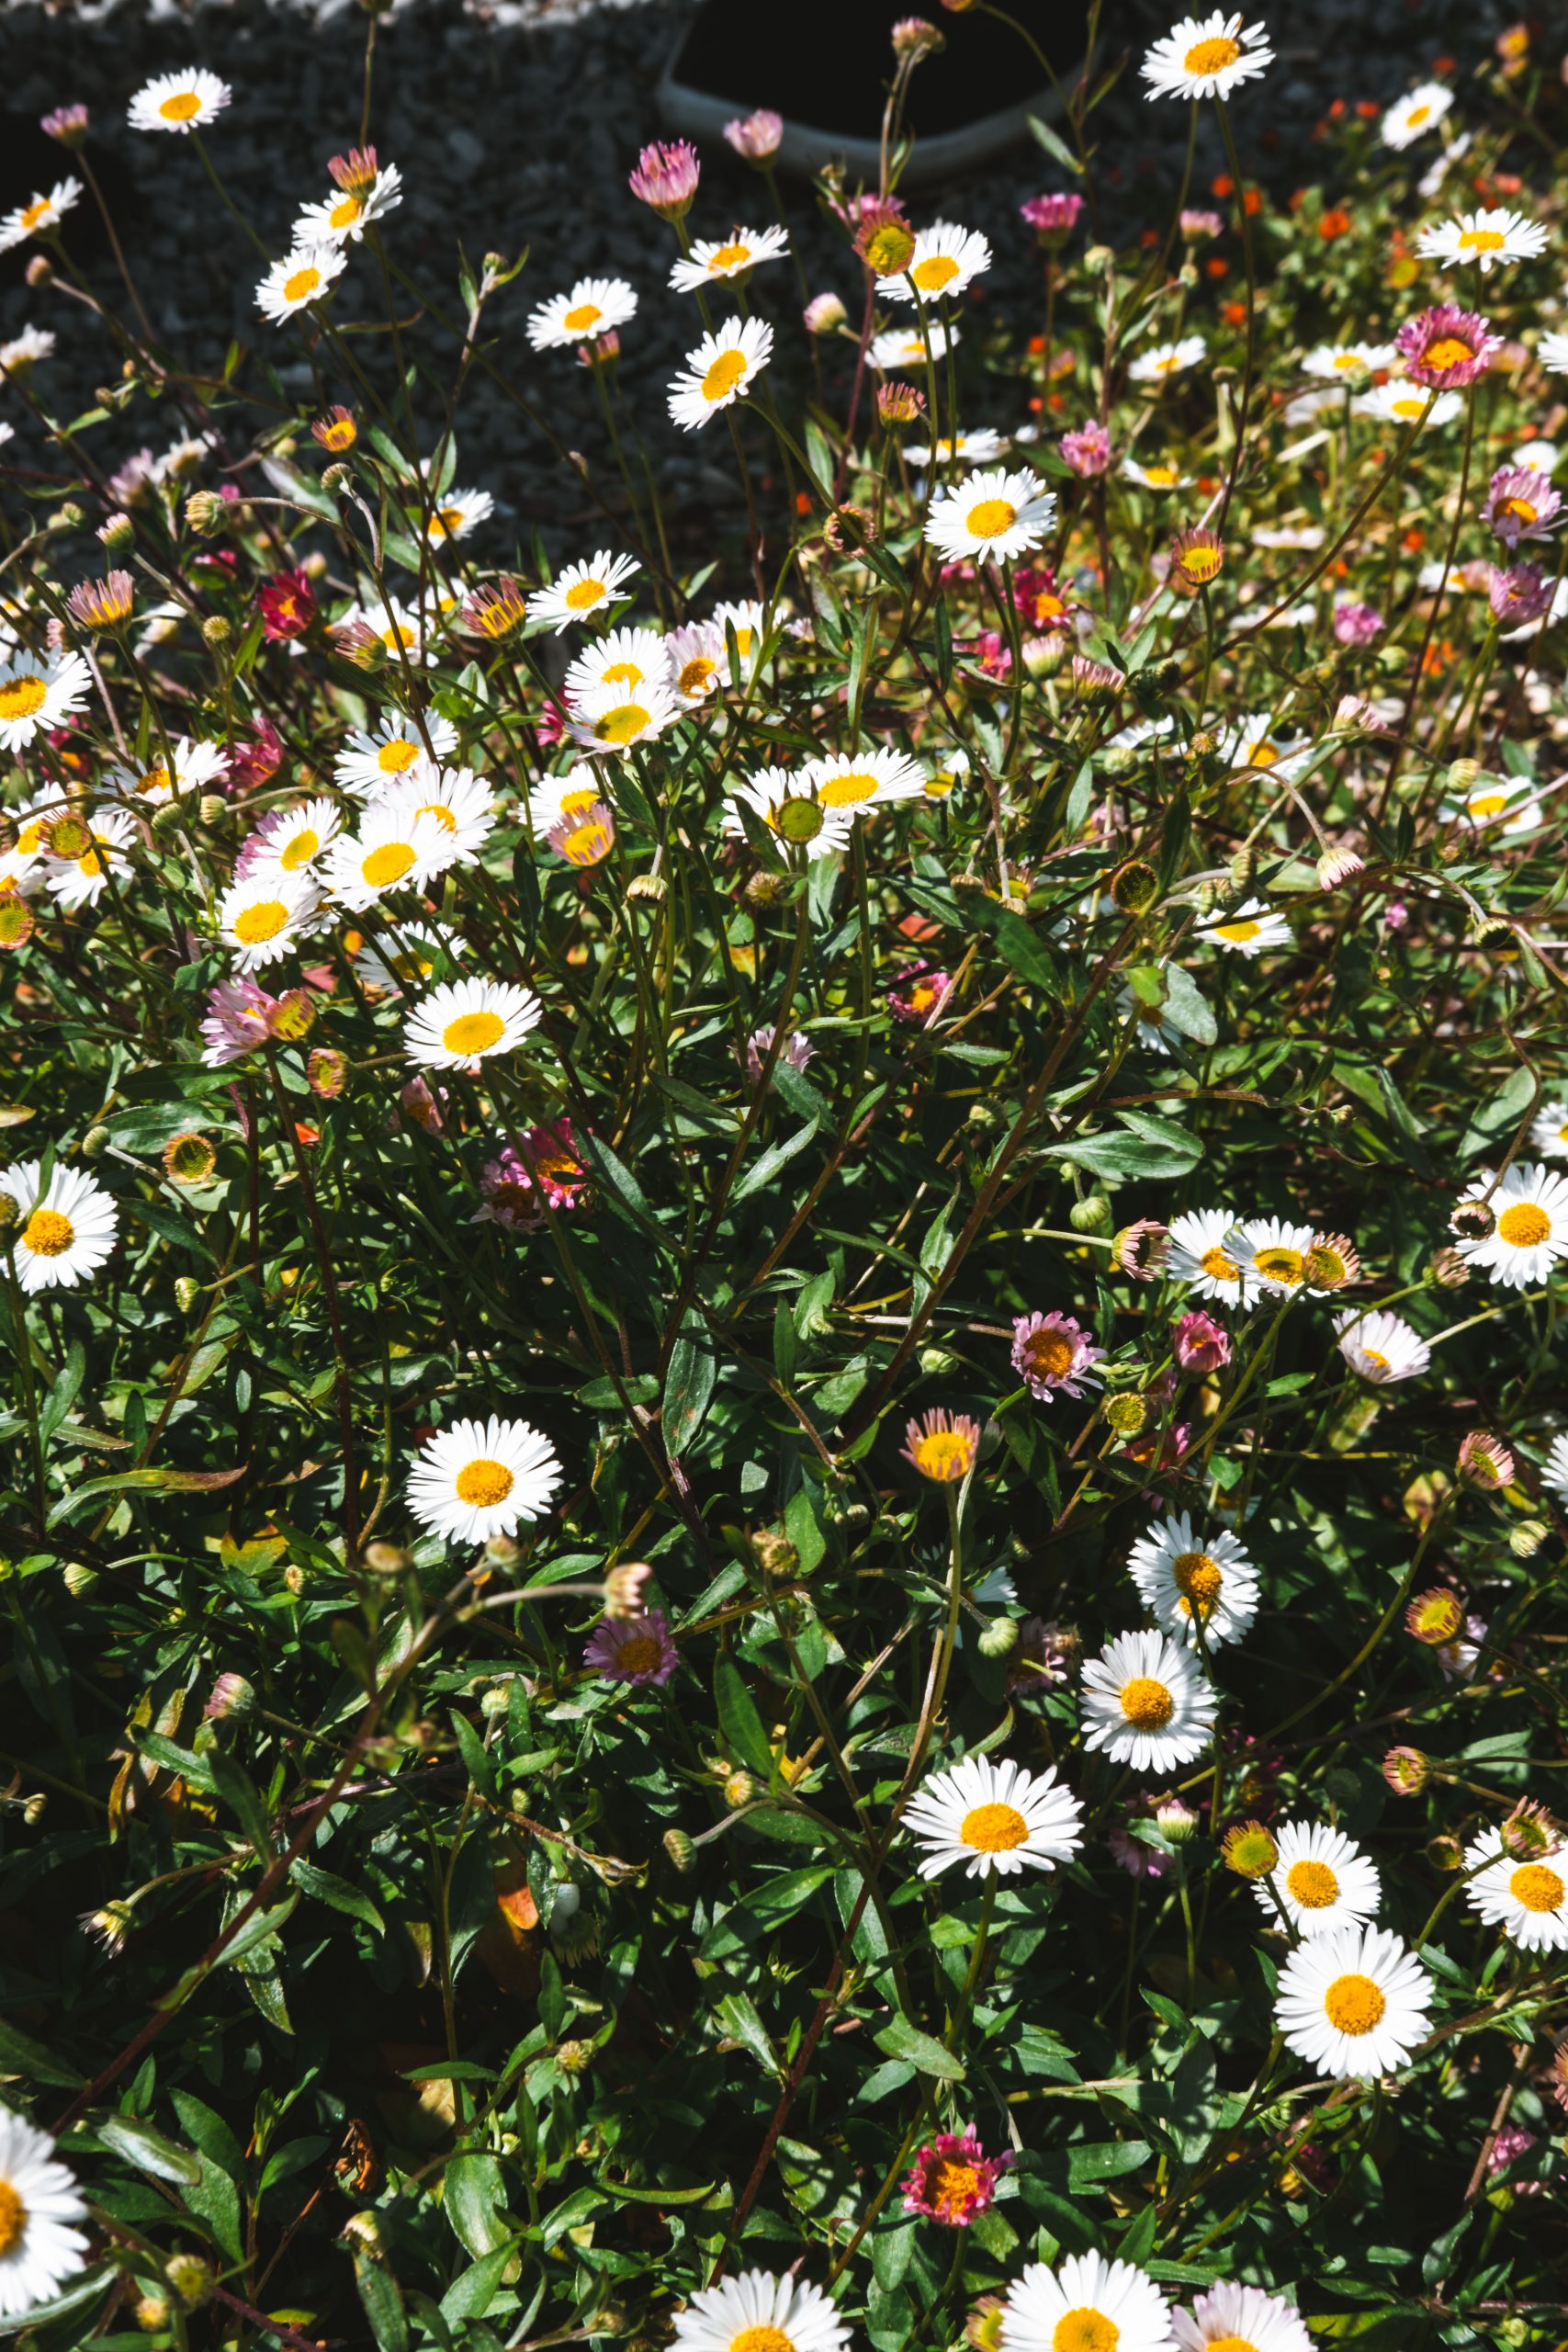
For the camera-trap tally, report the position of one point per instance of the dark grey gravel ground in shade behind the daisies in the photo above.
(521, 133)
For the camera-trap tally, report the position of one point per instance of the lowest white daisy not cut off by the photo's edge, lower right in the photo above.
(1353, 2003)
